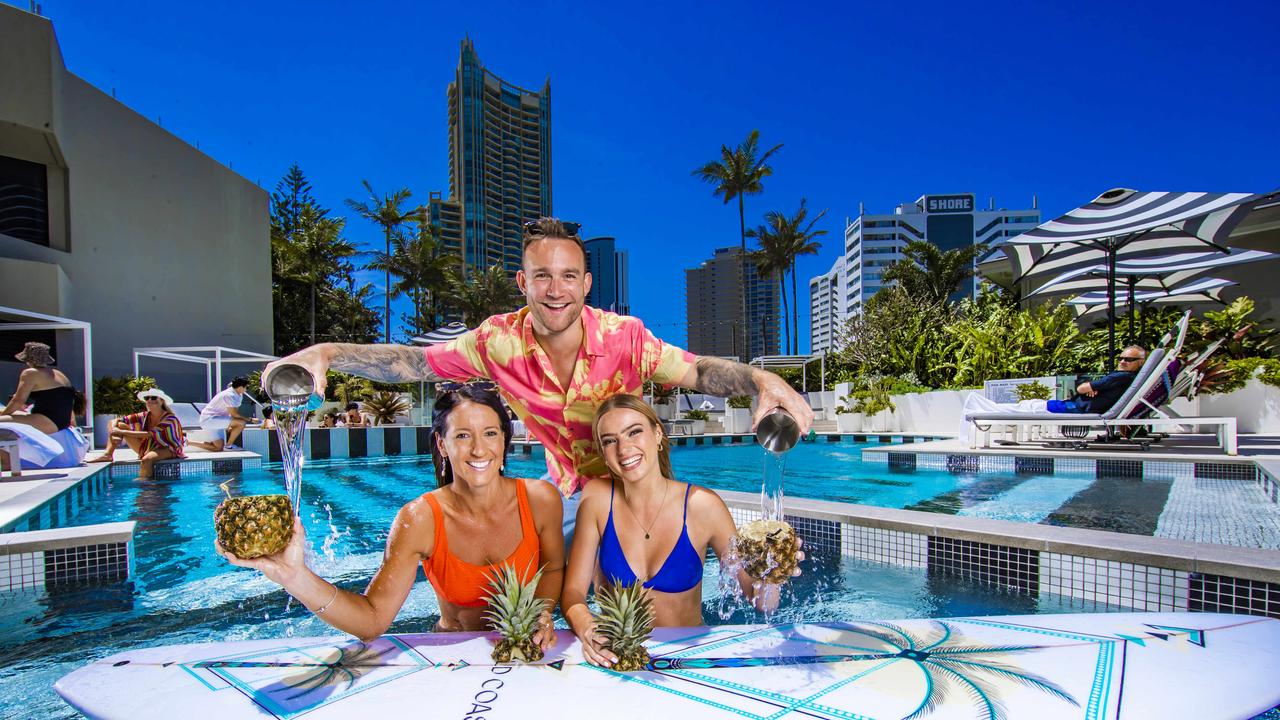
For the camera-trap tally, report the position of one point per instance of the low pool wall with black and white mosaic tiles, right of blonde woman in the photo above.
(1140, 573)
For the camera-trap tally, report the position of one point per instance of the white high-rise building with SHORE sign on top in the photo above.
(874, 243)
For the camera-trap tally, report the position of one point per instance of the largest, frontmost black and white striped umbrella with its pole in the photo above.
(1099, 233)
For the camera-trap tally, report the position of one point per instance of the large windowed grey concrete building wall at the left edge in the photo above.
(163, 245)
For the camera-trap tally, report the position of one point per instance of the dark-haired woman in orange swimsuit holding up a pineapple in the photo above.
(474, 523)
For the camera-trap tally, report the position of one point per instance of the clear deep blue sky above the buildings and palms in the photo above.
(875, 103)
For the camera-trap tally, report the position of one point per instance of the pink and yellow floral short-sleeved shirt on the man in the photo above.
(618, 356)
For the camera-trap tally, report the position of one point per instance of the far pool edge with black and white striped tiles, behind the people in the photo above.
(323, 444)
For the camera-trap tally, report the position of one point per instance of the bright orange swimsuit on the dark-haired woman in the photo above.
(465, 585)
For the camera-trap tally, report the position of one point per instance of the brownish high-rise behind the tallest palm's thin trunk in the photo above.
(714, 302)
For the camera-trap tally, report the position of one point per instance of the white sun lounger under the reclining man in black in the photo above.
(1159, 370)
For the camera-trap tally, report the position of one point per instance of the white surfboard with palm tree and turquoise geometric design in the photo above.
(1043, 667)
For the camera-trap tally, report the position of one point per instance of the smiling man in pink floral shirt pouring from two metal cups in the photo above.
(557, 359)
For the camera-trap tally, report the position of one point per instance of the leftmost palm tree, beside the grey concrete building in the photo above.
(313, 253)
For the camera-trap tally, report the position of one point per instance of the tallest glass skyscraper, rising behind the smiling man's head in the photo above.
(500, 166)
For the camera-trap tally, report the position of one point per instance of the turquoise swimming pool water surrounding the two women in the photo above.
(182, 593)
